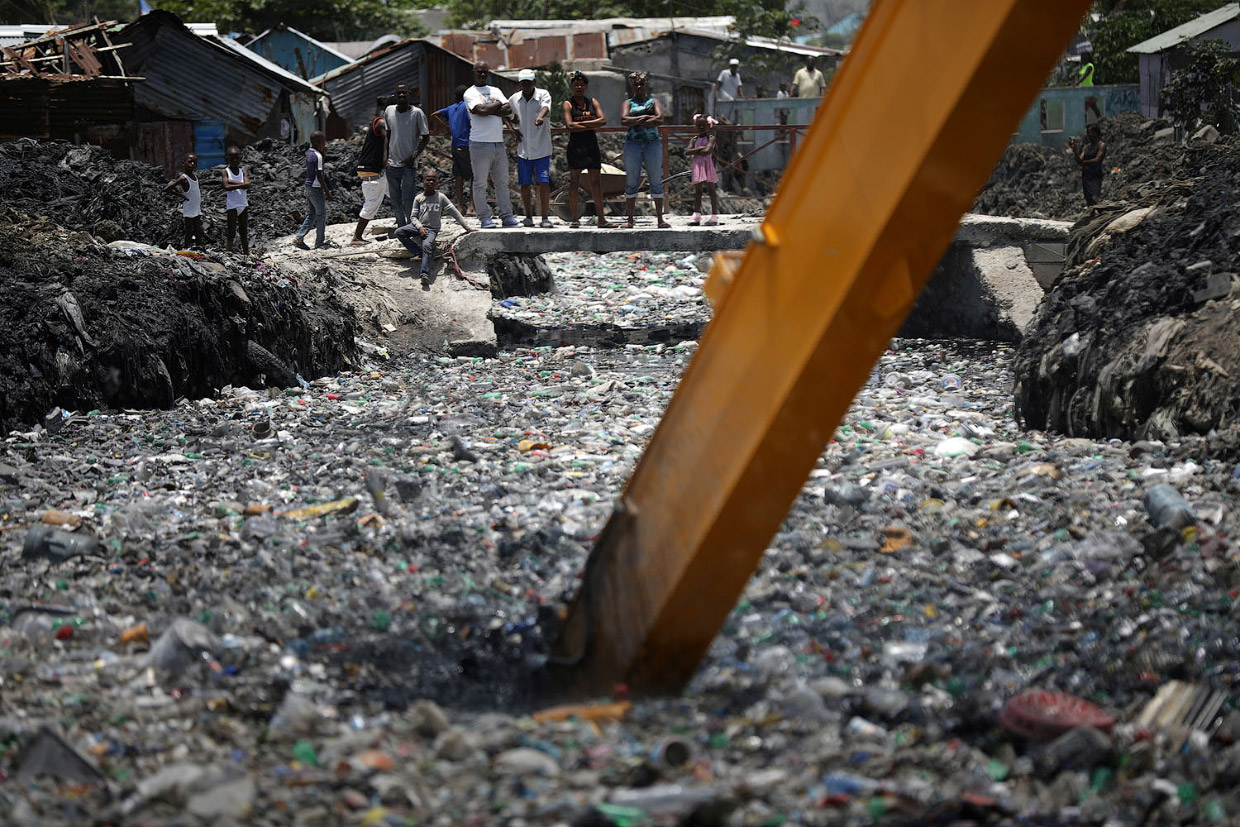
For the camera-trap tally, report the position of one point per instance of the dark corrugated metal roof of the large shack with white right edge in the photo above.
(194, 77)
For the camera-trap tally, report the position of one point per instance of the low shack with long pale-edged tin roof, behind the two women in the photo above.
(690, 54)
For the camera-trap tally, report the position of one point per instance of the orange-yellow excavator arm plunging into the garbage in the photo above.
(918, 116)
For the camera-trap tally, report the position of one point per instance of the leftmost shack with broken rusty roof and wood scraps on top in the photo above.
(71, 85)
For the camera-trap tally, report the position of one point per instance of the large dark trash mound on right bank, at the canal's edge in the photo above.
(1139, 337)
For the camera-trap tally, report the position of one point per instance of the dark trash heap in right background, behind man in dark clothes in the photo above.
(1041, 182)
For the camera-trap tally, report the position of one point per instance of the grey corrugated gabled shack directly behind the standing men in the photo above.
(363, 89)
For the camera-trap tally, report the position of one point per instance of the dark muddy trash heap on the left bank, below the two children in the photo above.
(86, 325)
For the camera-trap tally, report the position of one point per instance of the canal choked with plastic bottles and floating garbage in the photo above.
(322, 606)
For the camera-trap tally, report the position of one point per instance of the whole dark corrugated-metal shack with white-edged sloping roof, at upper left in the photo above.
(211, 79)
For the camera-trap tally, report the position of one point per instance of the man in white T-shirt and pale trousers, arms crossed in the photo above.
(488, 108)
